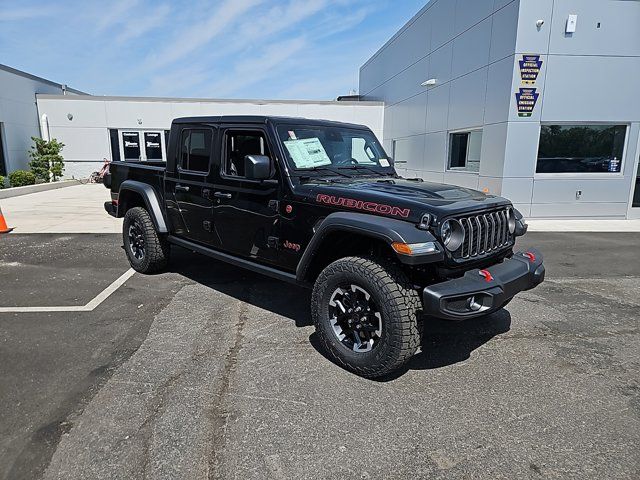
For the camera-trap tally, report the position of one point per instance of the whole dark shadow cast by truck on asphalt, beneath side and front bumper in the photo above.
(443, 342)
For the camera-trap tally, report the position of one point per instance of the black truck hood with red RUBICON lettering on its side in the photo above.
(397, 197)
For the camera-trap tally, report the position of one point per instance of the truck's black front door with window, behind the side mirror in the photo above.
(246, 211)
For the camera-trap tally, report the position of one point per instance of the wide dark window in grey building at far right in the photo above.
(581, 148)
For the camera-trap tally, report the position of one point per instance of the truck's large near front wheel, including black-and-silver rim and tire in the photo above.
(366, 315)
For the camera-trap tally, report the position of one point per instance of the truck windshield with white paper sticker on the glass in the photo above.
(331, 147)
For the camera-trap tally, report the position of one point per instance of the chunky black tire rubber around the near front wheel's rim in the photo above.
(398, 302)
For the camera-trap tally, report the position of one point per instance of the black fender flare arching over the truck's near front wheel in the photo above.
(389, 230)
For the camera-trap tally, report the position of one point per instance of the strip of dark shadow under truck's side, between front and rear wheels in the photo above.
(281, 298)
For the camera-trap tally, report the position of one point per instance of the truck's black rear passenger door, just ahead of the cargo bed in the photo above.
(188, 189)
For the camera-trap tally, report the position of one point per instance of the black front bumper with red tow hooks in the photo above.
(482, 291)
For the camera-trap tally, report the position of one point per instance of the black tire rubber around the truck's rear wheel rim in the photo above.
(156, 254)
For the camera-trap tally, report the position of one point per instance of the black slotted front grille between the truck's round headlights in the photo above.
(483, 234)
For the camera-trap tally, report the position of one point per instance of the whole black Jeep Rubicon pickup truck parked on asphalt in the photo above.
(319, 203)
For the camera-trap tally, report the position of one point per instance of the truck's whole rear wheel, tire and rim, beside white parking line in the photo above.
(147, 251)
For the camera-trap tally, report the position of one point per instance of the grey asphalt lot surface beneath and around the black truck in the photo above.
(208, 371)
